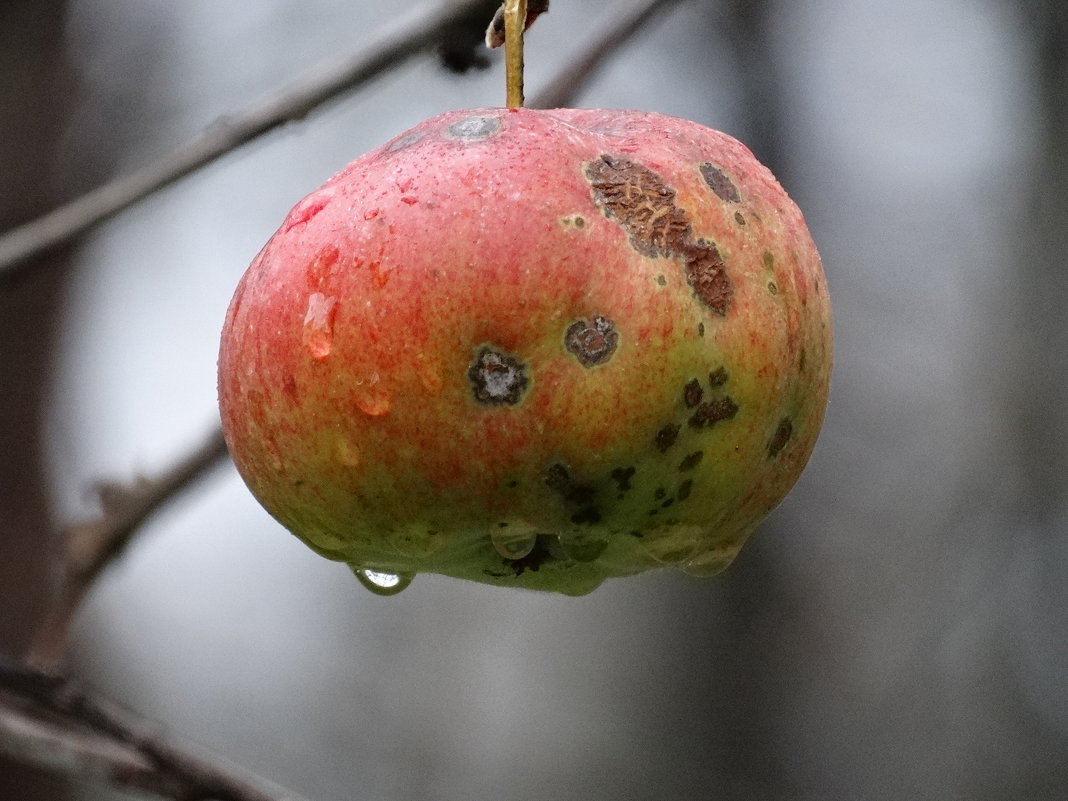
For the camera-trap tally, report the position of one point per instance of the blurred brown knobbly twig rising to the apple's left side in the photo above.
(90, 547)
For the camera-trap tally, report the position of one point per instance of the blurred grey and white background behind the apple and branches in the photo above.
(896, 631)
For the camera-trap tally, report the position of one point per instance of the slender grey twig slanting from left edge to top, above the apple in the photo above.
(413, 36)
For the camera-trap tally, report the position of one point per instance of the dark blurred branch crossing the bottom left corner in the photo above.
(48, 721)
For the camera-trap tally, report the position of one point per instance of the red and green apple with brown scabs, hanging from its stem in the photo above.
(596, 341)
